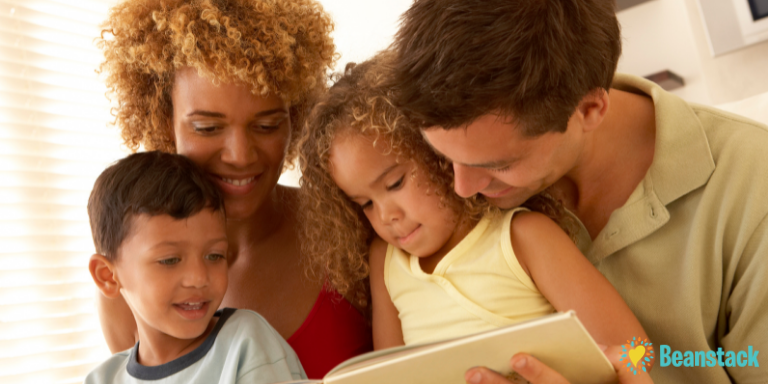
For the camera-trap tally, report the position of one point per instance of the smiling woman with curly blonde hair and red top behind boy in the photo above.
(228, 83)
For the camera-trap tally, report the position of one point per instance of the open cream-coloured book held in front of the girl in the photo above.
(558, 340)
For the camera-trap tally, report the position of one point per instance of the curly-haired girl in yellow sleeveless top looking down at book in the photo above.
(441, 266)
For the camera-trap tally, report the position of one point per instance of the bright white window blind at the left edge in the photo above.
(54, 141)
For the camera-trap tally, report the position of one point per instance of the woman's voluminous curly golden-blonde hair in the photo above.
(280, 47)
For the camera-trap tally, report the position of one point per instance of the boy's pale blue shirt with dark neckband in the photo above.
(242, 348)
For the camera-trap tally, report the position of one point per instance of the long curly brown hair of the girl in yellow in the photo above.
(336, 234)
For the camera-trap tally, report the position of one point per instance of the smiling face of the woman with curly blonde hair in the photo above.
(240, 139)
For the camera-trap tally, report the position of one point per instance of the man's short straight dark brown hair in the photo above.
(528, 60)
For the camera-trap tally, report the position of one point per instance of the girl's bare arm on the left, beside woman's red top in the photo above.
(387, 331)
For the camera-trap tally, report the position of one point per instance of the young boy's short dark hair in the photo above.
(154, 183)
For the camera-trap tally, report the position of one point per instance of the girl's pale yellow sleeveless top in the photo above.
(479, 285)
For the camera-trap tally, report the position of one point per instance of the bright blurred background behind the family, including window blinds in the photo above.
(55, 138)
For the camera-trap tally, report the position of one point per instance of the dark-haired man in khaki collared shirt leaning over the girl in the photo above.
(671, 197)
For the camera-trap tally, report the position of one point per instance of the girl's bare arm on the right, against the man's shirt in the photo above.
(569, 281)
